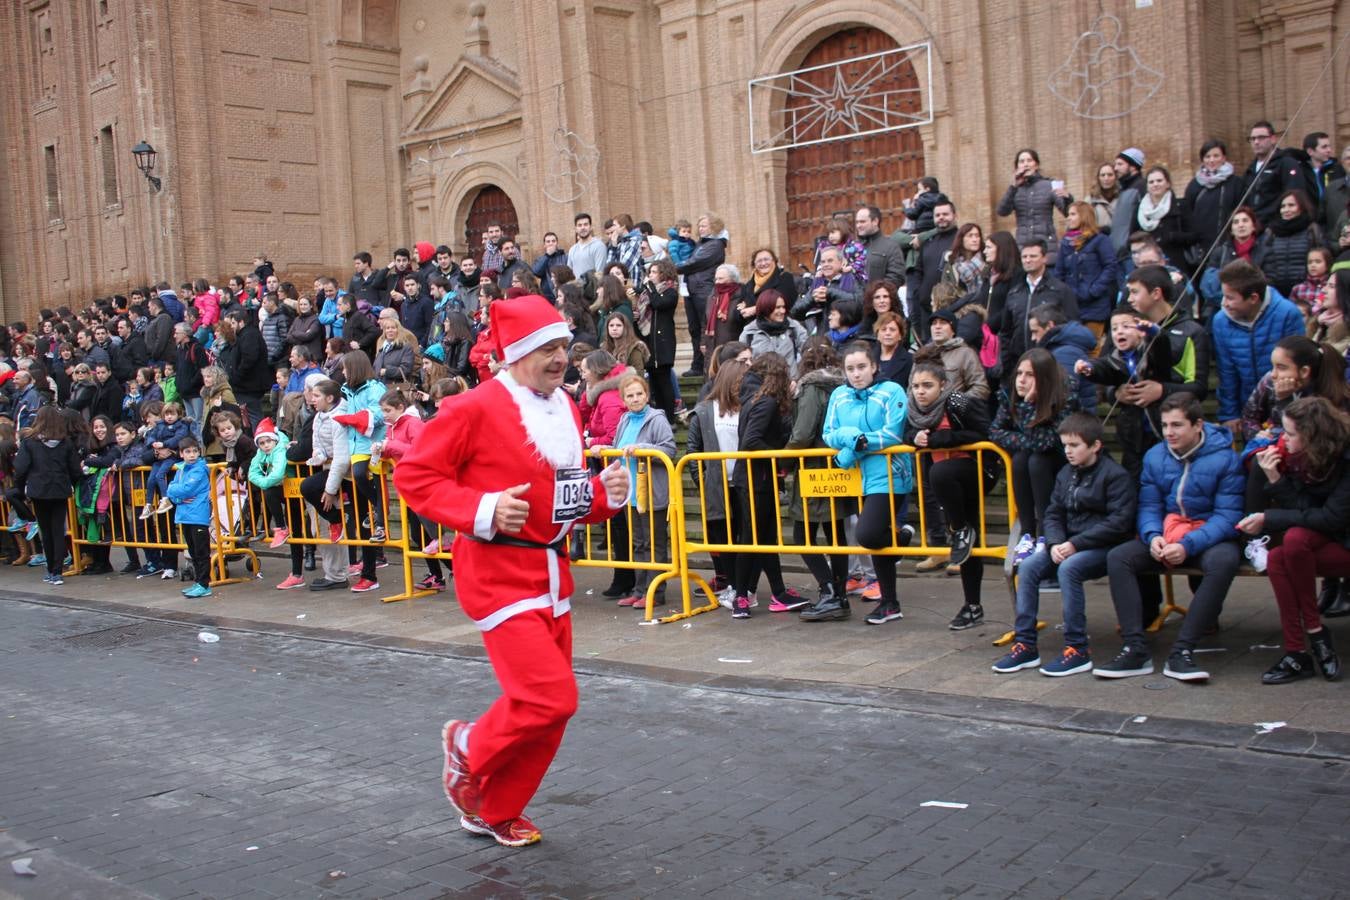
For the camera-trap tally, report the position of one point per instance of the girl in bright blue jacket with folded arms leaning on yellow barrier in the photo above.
(866, 418)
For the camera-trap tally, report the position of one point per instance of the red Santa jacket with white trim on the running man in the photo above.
(481, 443)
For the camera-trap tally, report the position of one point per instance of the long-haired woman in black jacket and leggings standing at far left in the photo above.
(47, 470)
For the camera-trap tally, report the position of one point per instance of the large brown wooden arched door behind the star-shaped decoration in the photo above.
(838, 176)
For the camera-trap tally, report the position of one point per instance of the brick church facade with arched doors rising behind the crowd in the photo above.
(307, 130)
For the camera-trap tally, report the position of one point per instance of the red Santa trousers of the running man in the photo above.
(514, 744)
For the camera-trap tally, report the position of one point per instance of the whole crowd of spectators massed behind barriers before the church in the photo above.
(1127, 307)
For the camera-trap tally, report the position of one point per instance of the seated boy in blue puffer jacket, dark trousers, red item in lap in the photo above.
(1190, 505)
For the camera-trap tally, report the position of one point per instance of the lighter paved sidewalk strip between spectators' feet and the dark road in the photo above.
(916, 658)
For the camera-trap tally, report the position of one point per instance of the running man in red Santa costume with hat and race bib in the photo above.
(503, 466)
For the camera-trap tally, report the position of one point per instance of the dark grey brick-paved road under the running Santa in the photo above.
(276, 767)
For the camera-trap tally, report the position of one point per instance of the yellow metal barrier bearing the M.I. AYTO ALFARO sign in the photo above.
(839, 486)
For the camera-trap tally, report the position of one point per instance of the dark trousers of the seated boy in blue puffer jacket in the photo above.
(1128, 562)
